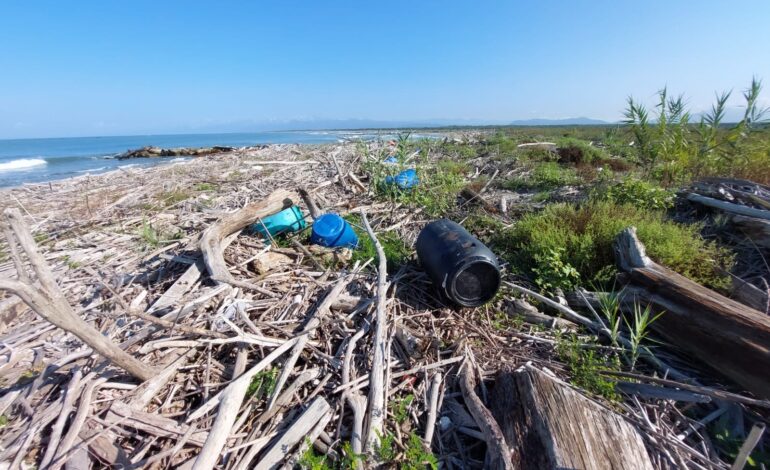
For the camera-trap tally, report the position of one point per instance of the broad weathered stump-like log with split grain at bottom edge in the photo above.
(550, 425)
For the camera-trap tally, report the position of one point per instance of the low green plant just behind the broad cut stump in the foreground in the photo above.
(585, 366)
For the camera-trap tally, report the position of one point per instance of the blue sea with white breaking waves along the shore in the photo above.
(40, 160)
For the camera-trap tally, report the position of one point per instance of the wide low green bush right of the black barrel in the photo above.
(582, 237)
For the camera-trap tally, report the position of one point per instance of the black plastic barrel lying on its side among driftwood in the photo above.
(462, 268)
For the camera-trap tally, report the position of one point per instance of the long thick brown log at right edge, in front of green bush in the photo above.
(725, 334)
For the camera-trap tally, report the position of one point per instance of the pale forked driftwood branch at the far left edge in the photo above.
(48, 301)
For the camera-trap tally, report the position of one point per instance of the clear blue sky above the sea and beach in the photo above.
(91, 68)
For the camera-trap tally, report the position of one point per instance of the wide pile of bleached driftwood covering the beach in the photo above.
(153, 340)
